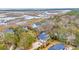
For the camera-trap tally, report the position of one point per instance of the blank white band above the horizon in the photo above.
(39, 3)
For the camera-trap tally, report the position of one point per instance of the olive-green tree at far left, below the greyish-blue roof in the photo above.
(10, 39)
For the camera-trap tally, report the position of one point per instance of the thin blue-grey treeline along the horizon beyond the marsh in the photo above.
(38, 9)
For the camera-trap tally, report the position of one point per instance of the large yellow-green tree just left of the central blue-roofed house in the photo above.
(27, 41)
